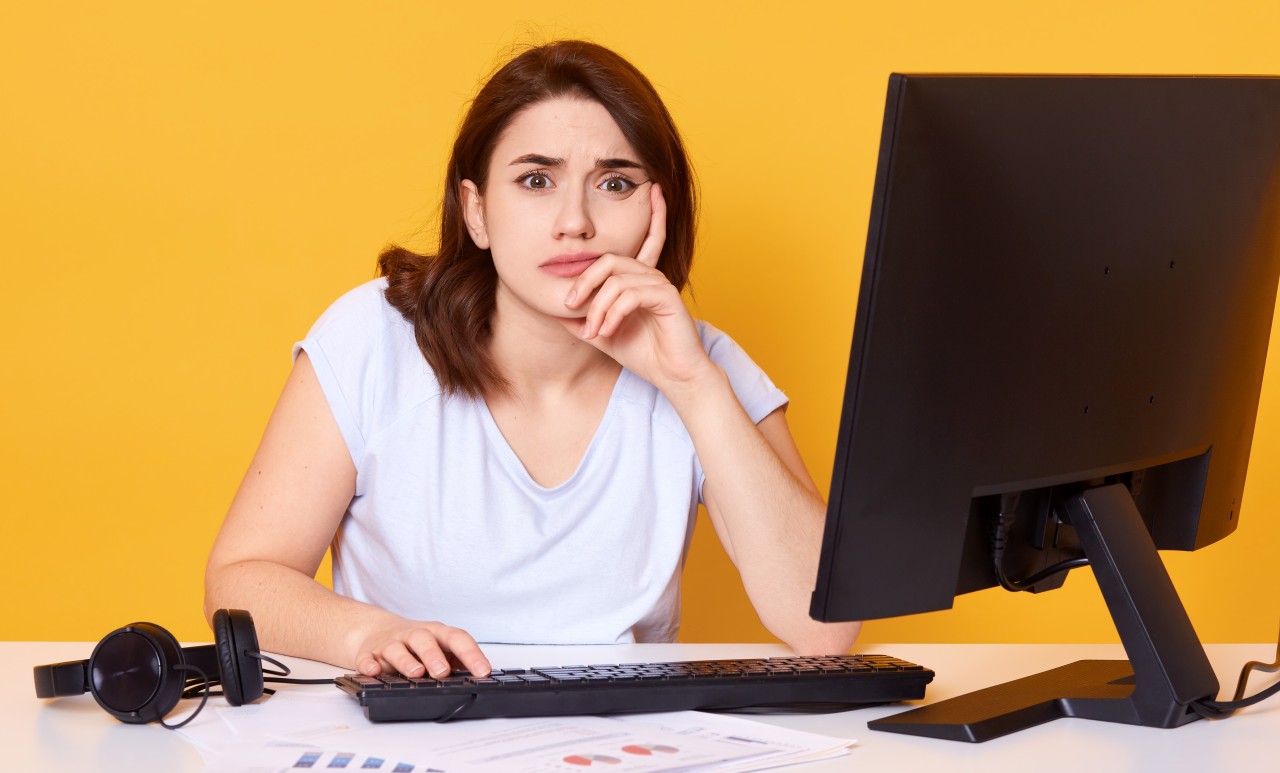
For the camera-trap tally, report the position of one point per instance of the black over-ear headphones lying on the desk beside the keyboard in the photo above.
(139, 674)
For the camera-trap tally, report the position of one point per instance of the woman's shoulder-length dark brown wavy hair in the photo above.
(450, 298)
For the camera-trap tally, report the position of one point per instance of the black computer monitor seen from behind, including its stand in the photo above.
(1058, 354)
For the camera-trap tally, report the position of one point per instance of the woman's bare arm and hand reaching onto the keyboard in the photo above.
(276, 534)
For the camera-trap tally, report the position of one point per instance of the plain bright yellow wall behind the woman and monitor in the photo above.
(186, 186)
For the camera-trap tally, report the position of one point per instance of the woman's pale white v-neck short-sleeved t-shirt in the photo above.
(447, 525)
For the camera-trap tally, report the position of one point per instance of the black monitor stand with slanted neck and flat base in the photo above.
(1167, 669)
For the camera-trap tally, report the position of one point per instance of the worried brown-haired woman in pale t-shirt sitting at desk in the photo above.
(508, 442)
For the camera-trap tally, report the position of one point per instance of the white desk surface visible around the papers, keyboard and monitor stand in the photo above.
(74, 734)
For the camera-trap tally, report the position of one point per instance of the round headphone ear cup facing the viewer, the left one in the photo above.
(132, 676)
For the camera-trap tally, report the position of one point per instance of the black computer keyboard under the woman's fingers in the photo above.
(765, 684)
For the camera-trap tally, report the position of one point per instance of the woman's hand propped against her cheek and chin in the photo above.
(636, 315)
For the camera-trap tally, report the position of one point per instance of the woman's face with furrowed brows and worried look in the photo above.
(565, 187)
